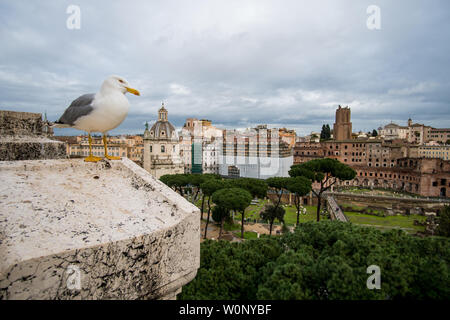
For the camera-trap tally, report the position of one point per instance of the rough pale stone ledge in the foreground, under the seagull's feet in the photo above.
(130, 236)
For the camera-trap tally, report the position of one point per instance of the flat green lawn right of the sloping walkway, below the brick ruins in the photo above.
(390, 222)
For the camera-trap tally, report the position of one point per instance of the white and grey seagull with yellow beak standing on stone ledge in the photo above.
(99, 112)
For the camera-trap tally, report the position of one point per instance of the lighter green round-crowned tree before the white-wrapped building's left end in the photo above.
(236, 199)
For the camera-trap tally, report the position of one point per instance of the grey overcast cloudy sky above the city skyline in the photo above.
(237, 63)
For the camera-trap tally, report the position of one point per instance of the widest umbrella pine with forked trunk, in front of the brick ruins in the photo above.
(326, 172)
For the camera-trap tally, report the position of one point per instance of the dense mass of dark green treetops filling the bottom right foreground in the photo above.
(324, 261)
